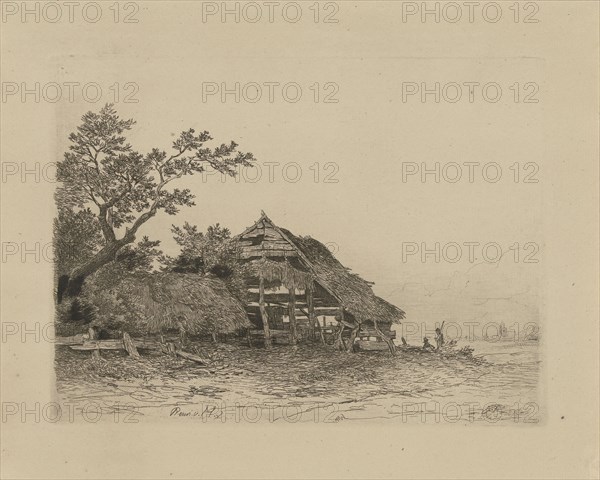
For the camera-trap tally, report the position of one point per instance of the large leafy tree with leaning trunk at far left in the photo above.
(119, 188)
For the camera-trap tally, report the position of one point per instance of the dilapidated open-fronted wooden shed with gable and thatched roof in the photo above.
(295, 280)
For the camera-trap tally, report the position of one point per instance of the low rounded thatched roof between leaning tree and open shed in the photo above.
(198, 303)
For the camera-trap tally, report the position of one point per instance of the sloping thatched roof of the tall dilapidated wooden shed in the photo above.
(354, 293)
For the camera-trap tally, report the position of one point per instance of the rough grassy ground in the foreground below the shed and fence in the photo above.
(496, 384)
